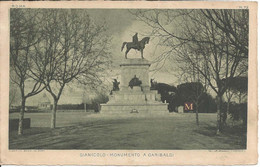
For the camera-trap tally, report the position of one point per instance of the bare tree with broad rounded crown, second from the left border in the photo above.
(75, 48)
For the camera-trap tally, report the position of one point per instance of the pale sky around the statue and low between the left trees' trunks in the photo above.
(121, 25)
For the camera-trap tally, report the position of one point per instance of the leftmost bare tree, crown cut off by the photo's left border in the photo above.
(23, 35)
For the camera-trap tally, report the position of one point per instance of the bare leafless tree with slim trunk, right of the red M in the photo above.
(221, 59)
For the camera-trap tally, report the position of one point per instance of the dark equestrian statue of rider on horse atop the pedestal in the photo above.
(137, 45)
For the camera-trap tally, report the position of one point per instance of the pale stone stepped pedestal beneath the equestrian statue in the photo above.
(139, 99)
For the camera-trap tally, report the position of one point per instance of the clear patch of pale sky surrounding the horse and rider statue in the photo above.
(122, 25)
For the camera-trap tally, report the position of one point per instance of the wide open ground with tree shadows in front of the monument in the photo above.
(134, 131)
